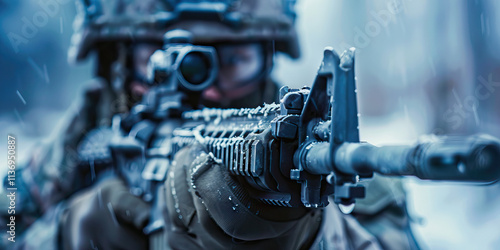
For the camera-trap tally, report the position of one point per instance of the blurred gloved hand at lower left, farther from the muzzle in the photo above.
(106, 216)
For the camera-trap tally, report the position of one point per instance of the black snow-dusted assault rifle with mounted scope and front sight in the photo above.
(295, 153)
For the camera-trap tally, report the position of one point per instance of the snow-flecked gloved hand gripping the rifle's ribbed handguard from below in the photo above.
(208, 209)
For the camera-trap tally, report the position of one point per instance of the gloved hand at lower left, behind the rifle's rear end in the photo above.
(90, 222)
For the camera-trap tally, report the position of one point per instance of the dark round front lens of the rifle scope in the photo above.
(195, 68)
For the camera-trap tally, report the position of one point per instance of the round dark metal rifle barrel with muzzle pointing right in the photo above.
(473, 158)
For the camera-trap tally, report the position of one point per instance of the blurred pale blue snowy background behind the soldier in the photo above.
(422, 67)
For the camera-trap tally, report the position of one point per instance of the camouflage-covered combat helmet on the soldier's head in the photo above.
(148, 20)
